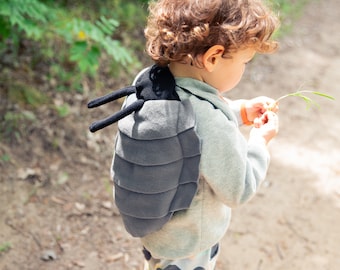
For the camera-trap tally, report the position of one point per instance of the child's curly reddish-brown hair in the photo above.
(177, 29)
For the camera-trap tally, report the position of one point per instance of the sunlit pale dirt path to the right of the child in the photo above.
(294, 223)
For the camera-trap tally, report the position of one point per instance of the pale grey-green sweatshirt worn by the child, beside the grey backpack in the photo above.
(231, 171)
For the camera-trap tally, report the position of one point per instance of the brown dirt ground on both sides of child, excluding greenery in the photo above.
(56, 209)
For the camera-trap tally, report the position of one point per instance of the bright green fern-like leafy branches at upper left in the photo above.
(41, 22)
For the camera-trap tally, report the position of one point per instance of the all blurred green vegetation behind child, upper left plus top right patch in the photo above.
(72, 46)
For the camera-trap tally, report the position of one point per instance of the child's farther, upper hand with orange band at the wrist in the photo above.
(256, 107)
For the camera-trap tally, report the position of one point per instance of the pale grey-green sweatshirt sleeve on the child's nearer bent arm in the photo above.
(233, 166)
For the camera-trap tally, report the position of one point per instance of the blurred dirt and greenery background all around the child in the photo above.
(56, 204)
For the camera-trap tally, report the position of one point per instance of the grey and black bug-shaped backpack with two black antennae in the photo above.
(157, 151)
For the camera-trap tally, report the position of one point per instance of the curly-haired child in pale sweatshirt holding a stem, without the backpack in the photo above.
(206, 44)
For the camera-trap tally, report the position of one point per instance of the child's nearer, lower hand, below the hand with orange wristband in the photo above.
(265, 127)
